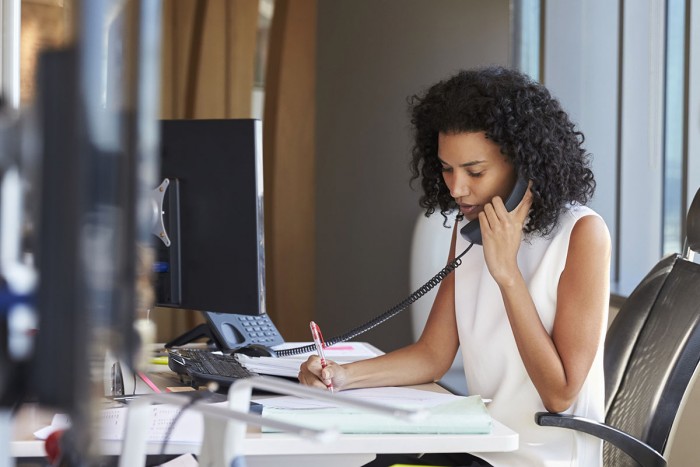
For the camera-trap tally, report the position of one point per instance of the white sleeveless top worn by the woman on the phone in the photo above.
(493, 366)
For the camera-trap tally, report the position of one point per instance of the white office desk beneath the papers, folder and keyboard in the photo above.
(271, 449)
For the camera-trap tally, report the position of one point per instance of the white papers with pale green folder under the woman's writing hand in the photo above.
(449, 414)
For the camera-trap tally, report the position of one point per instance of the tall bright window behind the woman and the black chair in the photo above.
(628, 72)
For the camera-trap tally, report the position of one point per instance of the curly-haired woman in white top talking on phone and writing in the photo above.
(529, 308)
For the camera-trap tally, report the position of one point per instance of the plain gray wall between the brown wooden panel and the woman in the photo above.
(372, 55)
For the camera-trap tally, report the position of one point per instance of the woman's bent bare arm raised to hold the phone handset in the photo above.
(557, 364)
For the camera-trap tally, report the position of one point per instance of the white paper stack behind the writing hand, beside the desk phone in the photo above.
(345, 352)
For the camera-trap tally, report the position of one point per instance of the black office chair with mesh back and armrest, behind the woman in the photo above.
(652, 352)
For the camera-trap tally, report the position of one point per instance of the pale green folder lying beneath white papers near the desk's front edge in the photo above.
(467, 415)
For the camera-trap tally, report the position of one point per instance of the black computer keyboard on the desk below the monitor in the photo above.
(202, 366)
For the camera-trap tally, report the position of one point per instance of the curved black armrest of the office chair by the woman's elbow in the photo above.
(641, 452)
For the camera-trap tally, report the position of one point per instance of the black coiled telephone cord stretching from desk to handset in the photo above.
(390, 313)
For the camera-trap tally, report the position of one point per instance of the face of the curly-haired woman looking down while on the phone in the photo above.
(474, 170)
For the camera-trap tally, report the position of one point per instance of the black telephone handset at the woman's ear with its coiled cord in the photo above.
(471, 232)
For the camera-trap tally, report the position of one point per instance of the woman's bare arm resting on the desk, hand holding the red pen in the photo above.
(427, 360)
